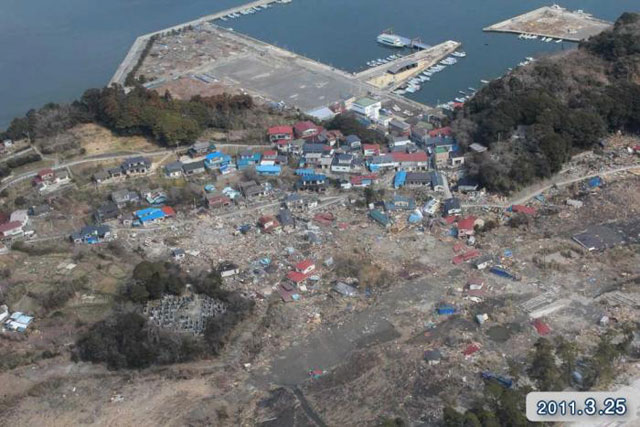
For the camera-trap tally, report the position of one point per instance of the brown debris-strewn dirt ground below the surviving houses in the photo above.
(368, 349)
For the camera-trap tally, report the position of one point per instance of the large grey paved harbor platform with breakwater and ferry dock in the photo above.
(203, 57)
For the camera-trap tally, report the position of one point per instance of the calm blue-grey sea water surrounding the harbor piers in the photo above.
(52, 50)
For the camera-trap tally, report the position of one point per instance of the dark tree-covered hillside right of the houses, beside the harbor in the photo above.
(536, 117)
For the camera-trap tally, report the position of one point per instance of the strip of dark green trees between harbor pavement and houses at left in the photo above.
(168, 121)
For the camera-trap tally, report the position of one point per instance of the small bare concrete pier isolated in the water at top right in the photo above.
(552, 24)
